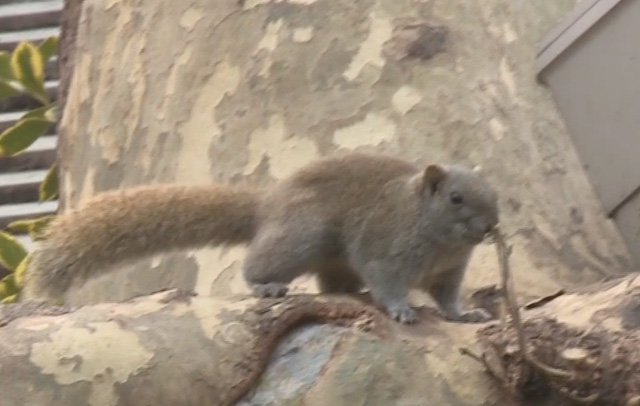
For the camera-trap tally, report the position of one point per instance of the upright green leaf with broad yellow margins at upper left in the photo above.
(28, 67)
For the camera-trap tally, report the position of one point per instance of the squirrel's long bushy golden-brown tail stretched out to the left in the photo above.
(116, 227)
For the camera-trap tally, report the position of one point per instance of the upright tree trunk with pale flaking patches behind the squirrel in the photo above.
(250, 90)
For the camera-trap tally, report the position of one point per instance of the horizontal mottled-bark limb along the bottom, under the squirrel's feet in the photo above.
(172, 348)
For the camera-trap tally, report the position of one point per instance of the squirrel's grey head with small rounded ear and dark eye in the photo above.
(459, 202)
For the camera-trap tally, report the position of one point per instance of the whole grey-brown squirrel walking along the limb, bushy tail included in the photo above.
(354, 220)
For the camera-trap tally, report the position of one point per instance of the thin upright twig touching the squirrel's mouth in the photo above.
(507, 291)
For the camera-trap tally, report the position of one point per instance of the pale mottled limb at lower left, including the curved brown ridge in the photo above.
(166, 349)
